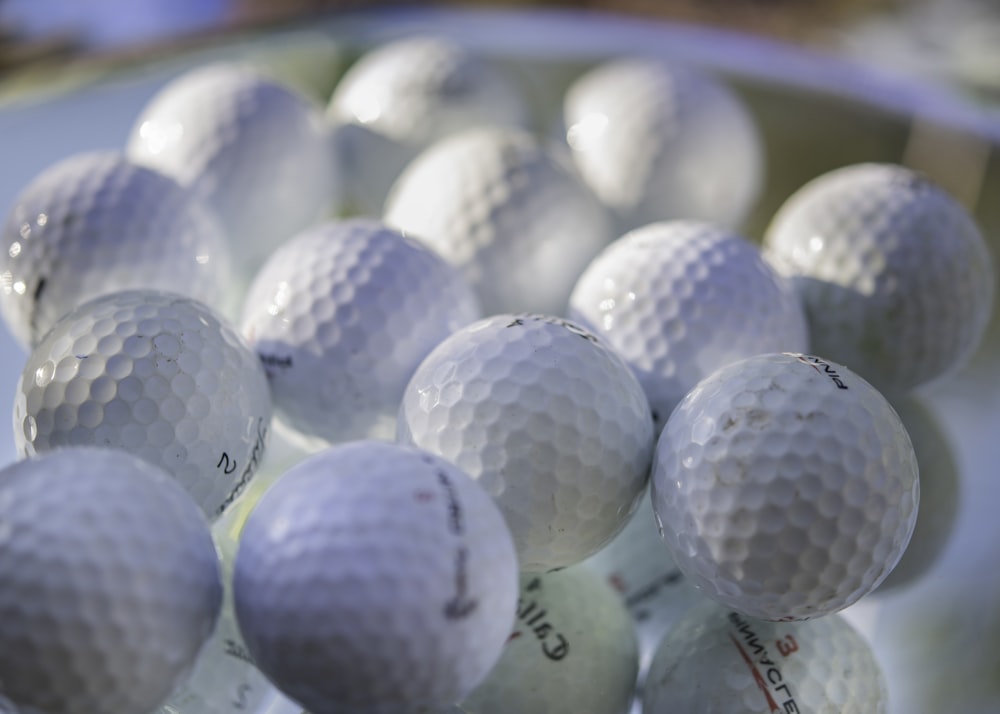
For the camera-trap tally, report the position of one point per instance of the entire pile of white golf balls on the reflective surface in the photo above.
(555, 435)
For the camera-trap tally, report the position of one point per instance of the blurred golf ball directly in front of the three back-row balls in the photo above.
(500, 206)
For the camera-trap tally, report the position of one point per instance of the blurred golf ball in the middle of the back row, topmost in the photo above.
(401, 97)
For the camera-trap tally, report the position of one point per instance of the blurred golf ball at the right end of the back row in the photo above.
(657, 141)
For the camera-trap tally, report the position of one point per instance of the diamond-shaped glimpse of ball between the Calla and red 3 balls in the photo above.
(639, 567)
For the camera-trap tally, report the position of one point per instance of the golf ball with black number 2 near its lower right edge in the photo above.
(155, 374)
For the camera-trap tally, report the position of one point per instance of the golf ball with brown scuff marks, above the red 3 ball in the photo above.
(785, 486)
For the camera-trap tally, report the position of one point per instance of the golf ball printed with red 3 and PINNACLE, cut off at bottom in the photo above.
(721, 662)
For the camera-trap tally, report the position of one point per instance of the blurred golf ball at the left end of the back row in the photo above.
(256, 151)
